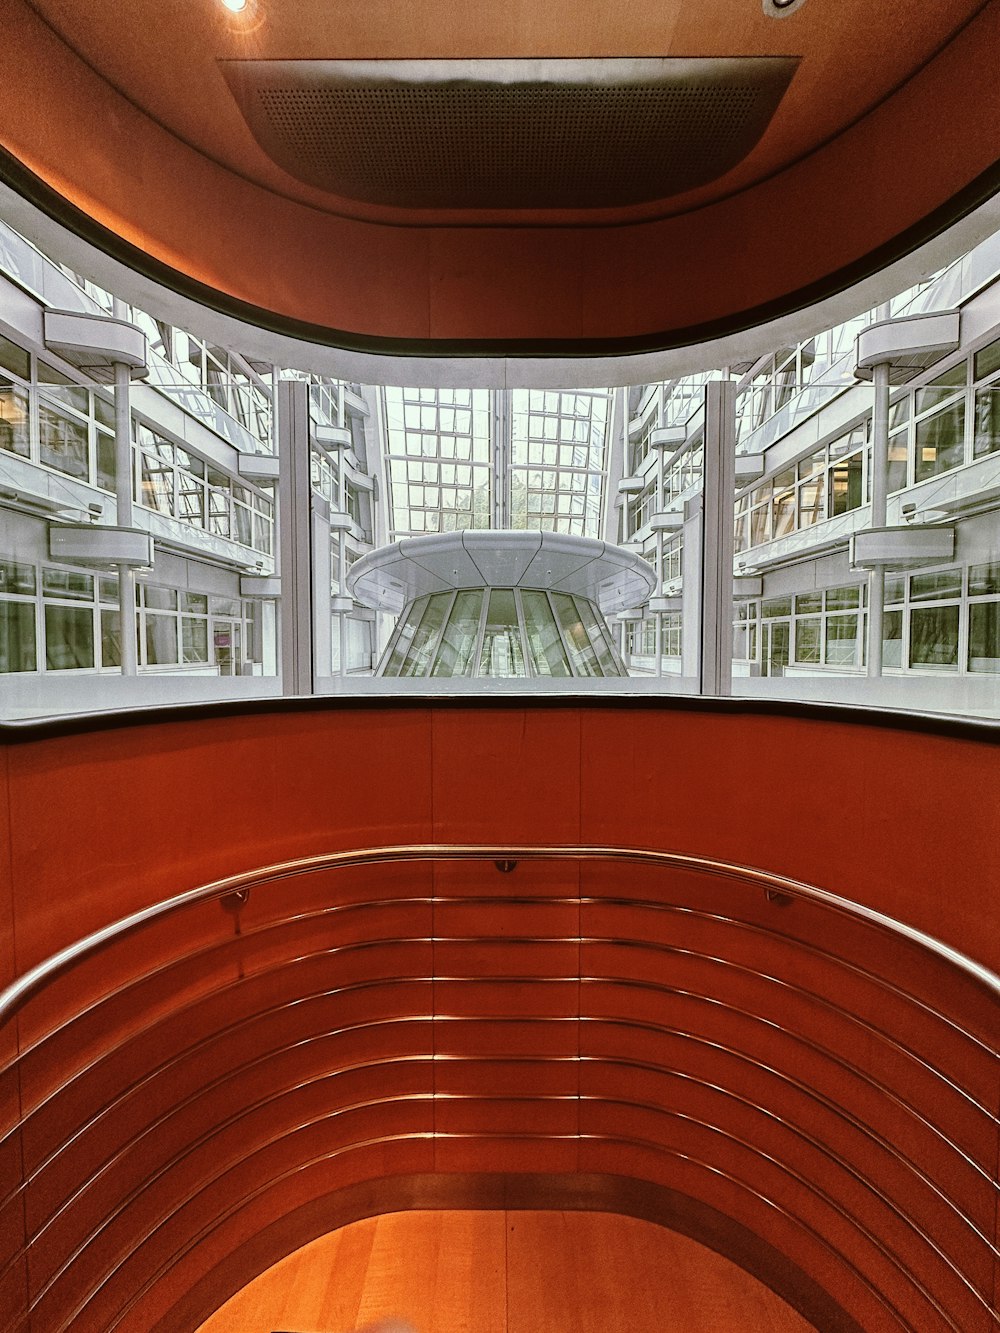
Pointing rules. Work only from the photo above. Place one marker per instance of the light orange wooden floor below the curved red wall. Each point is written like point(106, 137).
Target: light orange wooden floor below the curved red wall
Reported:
point(518, 1272)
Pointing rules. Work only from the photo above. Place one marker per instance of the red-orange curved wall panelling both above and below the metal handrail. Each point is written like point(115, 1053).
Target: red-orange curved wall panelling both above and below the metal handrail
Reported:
point(659, 1027)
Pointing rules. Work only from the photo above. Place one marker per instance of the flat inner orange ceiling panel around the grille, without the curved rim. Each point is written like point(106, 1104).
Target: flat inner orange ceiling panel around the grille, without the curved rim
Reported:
point(163, 57)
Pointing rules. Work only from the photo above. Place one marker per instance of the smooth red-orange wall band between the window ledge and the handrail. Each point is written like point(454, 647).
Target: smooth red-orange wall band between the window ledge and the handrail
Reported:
point(111, 820)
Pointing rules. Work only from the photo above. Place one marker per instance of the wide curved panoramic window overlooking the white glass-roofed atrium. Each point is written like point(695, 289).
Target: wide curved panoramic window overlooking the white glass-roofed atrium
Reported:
point(519, 537)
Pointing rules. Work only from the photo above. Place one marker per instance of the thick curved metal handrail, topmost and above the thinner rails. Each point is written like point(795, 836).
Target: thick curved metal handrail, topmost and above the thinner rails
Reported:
point(21, 991)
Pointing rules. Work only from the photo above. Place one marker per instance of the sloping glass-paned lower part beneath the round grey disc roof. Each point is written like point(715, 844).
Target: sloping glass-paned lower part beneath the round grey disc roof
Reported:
point(501, 634)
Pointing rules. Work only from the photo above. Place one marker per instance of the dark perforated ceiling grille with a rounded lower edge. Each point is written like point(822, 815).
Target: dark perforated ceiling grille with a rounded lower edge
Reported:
point(505, 143)
